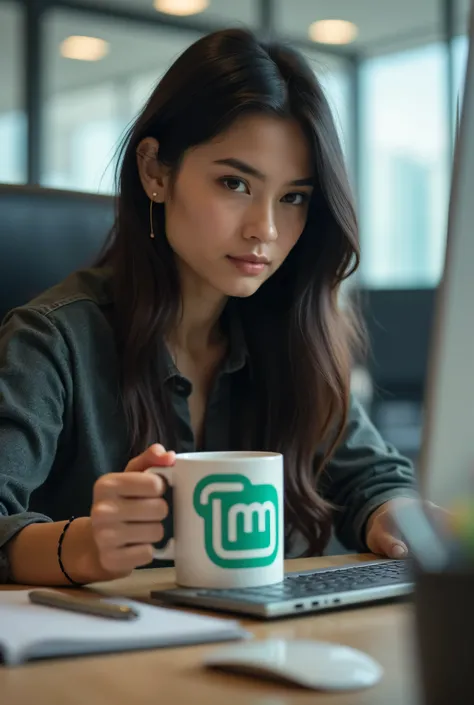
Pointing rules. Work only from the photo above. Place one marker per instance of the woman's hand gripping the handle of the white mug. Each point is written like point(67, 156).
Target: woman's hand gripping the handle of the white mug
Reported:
point(127, 512)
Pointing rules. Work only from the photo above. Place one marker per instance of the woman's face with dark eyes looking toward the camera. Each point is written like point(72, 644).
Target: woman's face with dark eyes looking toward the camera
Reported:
point(240, 204)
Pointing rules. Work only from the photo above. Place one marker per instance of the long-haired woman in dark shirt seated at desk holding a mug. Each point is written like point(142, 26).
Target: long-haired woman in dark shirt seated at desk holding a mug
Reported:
point(210, 322)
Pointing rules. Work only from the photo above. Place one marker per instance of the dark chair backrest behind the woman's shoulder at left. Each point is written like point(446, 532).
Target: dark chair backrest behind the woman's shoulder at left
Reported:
point(45, 234)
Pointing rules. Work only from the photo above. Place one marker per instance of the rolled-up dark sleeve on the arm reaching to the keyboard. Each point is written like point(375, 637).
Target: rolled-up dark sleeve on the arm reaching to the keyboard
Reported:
point(363, 473)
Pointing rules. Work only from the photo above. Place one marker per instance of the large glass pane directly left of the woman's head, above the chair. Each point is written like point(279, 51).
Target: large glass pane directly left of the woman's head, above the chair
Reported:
point(89, 104)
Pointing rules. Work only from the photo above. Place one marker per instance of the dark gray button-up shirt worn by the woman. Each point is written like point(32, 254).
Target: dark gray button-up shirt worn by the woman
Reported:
point(62, 424)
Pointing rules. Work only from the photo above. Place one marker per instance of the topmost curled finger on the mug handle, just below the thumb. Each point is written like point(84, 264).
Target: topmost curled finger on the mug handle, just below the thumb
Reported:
point(115, 485)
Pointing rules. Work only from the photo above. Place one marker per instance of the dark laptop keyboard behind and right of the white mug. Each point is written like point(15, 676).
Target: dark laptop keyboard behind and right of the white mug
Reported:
point(322, 583)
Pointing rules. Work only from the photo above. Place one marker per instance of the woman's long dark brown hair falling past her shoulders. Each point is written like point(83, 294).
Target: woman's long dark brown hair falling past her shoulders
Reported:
point(299, 338)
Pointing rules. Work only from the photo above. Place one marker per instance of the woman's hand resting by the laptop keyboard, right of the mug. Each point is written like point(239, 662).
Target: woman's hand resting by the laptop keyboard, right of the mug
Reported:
point(382, 536)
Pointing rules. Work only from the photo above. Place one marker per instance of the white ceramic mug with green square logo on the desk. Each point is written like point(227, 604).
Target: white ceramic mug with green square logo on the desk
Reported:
point(227, 519)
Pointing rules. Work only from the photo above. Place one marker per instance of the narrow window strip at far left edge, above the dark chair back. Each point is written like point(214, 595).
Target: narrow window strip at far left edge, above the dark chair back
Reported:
point(12, 116)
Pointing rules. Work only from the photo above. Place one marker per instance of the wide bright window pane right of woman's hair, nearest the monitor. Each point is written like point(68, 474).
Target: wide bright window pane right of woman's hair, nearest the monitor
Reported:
point(405, 159)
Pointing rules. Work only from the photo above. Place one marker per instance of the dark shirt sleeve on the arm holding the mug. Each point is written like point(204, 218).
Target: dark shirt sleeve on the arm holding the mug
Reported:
point(33, 374)
